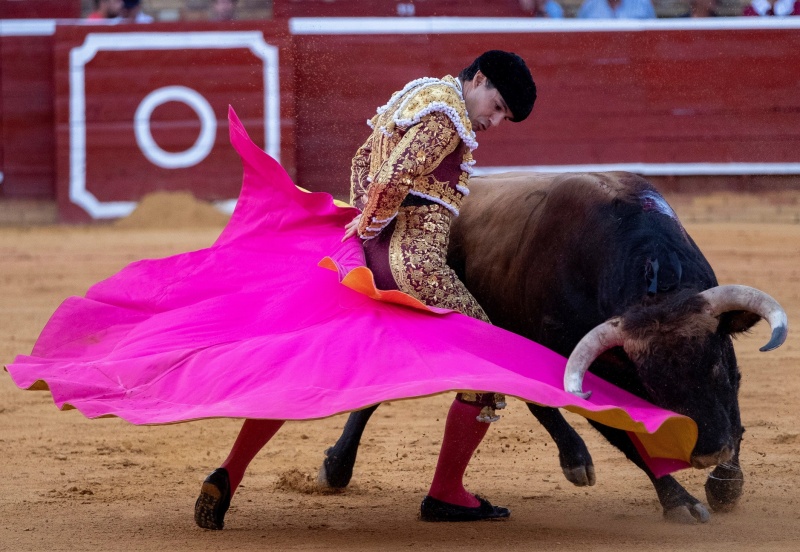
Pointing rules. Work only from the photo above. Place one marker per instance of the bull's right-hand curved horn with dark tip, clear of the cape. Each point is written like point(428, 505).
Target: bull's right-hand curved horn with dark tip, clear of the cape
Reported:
point(722, 299)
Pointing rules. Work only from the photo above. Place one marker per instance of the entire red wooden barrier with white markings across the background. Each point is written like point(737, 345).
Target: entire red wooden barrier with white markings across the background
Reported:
point(97, 116)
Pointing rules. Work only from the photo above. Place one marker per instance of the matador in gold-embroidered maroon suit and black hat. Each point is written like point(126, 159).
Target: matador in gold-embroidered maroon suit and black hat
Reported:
point(409, 179)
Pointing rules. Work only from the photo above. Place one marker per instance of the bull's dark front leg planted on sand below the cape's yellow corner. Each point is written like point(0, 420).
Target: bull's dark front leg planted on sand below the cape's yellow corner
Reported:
point(679, 506)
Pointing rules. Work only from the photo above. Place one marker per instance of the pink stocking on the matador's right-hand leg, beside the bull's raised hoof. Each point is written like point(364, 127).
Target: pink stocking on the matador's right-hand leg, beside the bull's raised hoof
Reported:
point(462, 435)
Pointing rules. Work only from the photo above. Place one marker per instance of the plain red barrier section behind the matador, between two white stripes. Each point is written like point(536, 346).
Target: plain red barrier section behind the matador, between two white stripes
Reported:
point(604, 97)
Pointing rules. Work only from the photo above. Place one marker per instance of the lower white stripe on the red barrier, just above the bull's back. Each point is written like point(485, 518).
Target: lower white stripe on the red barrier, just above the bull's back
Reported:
point(659, 169)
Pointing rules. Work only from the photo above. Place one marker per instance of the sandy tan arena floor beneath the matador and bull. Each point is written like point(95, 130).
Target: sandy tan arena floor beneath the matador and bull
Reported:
point(74, 484)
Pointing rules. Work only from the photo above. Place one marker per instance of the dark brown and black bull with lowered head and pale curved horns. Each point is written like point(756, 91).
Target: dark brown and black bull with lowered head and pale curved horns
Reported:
point(597, 267)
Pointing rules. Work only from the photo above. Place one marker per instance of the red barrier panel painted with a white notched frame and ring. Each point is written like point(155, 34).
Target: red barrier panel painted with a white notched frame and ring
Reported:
point(165, 76)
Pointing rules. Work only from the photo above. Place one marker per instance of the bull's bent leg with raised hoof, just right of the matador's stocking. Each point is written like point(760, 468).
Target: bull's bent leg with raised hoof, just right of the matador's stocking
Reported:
point(576, 462)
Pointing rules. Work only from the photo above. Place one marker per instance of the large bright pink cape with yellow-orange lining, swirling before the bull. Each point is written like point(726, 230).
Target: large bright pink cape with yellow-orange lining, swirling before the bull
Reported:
point(253, 327)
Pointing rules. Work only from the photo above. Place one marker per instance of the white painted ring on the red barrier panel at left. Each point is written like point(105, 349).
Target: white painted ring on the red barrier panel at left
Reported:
point(201, 147)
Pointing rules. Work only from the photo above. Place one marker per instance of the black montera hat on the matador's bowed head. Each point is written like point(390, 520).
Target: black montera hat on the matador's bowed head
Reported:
point(512, 78)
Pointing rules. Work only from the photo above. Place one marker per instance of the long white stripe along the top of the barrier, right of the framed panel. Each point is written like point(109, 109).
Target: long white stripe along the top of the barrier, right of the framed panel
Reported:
point(477, 25)
